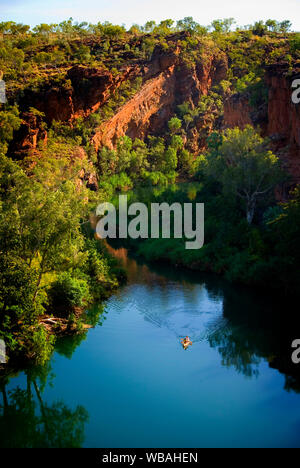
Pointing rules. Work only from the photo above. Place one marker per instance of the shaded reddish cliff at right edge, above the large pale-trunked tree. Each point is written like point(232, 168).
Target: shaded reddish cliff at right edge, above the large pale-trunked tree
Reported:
point(279, 120)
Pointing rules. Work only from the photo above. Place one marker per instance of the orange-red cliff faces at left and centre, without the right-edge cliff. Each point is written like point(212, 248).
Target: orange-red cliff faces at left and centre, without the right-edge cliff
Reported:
point(167, 82)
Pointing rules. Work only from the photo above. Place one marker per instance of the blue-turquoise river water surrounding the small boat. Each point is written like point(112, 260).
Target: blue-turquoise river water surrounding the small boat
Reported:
point(130, 383)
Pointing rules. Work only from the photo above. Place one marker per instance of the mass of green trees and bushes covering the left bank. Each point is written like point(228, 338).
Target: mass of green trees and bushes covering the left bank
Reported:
point(49, 262)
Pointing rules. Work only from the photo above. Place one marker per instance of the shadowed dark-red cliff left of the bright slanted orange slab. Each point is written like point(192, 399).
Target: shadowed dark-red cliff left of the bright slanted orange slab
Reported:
point(83, 92)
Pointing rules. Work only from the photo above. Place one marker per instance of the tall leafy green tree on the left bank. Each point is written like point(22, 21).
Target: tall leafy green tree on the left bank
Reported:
point(40, 234)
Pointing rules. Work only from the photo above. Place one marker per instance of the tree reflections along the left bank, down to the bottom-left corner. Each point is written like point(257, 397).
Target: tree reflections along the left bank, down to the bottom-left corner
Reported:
point(27, 421)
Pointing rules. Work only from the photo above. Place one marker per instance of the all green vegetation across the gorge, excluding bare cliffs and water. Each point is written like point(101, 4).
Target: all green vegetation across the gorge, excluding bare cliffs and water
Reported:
point(50, 263)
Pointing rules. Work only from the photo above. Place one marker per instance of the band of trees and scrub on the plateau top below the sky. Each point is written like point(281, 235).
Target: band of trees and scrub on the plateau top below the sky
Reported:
point(28, 58)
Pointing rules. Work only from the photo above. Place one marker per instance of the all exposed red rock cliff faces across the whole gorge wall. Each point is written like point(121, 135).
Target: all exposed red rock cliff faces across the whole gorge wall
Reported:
point(166, 82)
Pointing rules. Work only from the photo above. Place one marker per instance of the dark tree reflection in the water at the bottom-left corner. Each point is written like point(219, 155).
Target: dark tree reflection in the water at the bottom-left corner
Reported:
point(27, 421)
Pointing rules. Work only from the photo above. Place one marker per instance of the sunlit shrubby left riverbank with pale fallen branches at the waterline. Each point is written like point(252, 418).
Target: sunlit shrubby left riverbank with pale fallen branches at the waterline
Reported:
point(66, 311)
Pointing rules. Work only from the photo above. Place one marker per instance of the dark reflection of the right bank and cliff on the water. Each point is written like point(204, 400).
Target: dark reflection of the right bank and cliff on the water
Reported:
point(246, 327)
